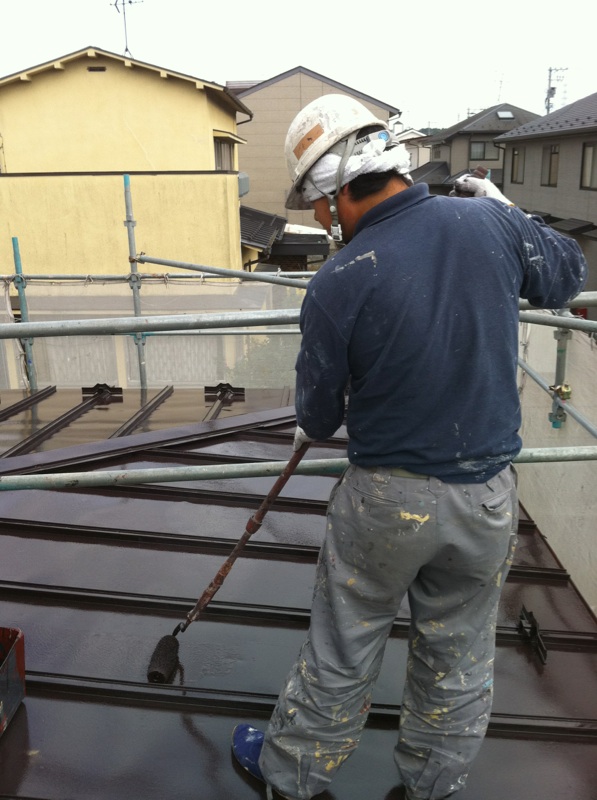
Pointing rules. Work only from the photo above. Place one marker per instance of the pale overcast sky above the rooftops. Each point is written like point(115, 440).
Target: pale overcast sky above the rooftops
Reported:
point(436, 61)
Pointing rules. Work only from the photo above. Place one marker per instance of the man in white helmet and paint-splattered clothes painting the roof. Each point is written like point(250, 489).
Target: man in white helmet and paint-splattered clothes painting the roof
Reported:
point(416, 318)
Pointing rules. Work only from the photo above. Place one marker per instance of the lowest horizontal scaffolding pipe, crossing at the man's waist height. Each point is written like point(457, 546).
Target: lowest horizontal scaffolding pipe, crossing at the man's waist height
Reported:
point(325, 466)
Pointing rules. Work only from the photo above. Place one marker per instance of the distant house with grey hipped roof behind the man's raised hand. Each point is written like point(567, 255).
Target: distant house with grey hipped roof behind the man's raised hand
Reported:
point(468, 144)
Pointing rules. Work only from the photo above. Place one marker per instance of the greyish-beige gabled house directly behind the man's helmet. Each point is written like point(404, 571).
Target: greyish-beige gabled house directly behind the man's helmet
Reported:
point(275, 103)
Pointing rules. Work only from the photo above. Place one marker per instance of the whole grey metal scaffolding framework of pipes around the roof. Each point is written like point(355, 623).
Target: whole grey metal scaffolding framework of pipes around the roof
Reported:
point(230, 323)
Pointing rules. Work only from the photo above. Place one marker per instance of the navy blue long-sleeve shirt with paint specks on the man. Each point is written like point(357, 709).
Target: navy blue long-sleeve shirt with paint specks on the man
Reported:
point(418, 316)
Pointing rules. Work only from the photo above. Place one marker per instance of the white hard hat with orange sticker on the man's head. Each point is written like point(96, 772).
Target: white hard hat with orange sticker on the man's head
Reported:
point(318, 127)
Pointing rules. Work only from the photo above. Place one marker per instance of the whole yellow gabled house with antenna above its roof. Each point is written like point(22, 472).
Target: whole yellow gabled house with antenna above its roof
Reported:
point(70, 128)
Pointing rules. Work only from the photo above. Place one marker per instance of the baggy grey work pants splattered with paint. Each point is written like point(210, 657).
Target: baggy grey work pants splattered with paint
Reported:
point(450, 547)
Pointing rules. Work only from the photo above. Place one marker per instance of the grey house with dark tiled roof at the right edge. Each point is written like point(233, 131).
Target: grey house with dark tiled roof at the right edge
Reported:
point(551, 169)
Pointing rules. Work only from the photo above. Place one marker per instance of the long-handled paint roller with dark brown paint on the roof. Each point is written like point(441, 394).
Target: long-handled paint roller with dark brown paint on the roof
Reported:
point(164, 660)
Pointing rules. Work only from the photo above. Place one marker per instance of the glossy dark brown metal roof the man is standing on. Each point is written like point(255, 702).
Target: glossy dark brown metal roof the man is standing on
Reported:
point(95, 578)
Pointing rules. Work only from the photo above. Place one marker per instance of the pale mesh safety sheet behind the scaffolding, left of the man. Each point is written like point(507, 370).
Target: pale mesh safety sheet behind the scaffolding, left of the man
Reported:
point(247, 357)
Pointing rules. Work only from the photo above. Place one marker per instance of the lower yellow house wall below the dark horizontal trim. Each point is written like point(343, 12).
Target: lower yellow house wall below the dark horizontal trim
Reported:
point(73, 224)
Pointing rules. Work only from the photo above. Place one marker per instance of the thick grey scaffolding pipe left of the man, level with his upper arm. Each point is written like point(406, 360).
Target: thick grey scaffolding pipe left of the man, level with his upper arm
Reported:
point(124, 325)
